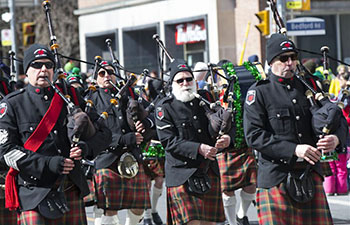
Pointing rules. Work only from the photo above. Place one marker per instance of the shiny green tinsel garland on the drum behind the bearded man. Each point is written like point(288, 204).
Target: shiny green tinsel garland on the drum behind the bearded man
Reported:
point(237, 103)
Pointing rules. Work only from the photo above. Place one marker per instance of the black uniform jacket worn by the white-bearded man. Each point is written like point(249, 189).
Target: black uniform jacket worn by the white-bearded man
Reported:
point(181, 128)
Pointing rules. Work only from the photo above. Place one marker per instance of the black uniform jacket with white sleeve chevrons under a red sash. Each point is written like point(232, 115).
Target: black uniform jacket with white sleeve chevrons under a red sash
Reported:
point(20, 114)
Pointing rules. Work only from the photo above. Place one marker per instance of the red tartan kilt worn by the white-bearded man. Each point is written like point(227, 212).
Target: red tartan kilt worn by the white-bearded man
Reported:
point(183, 207)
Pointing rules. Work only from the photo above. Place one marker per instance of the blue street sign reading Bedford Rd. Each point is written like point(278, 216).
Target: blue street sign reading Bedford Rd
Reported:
point(305, 26)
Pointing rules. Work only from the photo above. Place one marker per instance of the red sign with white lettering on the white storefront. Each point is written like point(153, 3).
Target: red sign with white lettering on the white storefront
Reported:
point(191, 32)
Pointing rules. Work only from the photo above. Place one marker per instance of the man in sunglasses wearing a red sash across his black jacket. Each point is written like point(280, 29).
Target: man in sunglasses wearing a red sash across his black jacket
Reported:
point(35, 141)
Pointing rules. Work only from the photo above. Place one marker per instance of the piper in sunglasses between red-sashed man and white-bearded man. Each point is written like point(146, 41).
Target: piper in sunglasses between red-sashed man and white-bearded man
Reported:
point(114, 190)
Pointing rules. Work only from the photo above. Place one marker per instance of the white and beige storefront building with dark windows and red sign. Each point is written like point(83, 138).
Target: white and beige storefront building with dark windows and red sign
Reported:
point(196, 30)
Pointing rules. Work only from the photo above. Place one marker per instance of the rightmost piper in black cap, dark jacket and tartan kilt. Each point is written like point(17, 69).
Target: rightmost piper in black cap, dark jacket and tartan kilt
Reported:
point(277, 123)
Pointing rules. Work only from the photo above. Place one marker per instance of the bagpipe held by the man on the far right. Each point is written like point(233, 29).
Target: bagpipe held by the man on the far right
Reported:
point(326, 115)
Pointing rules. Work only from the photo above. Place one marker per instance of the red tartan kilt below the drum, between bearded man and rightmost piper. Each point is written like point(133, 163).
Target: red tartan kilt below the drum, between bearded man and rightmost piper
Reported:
point(237, 169)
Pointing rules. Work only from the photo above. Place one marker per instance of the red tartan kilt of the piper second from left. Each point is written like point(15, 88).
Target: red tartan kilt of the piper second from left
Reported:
point(116, 193)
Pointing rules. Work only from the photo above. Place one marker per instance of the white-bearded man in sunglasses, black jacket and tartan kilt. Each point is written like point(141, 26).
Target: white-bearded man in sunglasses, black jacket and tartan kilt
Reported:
point(190, 152)
